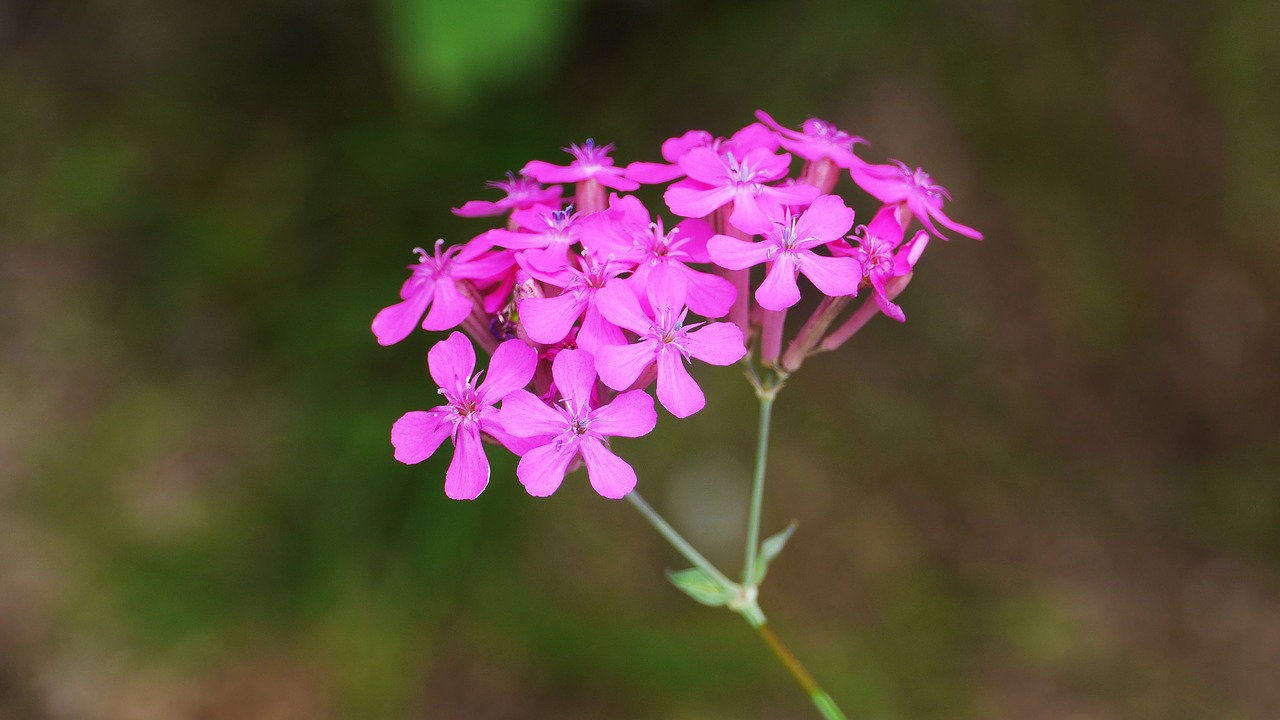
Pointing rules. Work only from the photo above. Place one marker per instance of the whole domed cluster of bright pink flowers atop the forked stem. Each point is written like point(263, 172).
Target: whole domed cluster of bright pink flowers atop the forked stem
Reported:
point(587, 304)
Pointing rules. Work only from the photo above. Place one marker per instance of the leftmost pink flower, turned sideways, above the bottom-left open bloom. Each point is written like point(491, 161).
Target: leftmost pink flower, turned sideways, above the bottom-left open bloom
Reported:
point(435, 285)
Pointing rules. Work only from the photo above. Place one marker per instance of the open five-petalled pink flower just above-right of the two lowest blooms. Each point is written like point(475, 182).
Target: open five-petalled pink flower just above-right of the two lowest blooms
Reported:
point(666, 340)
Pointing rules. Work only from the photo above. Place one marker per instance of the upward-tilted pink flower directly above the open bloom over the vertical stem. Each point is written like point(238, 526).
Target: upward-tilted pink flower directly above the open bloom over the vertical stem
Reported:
point(716, 181)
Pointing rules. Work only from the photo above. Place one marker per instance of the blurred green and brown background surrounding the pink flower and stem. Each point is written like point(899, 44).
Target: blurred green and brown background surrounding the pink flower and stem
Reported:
point(1053, 494)
